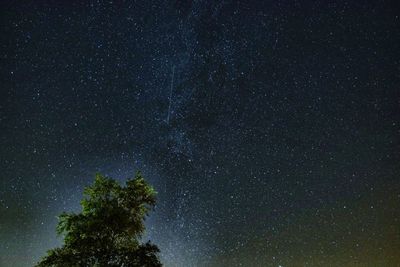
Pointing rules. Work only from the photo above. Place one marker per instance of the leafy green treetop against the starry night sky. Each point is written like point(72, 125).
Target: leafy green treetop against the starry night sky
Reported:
point(108, 230)
